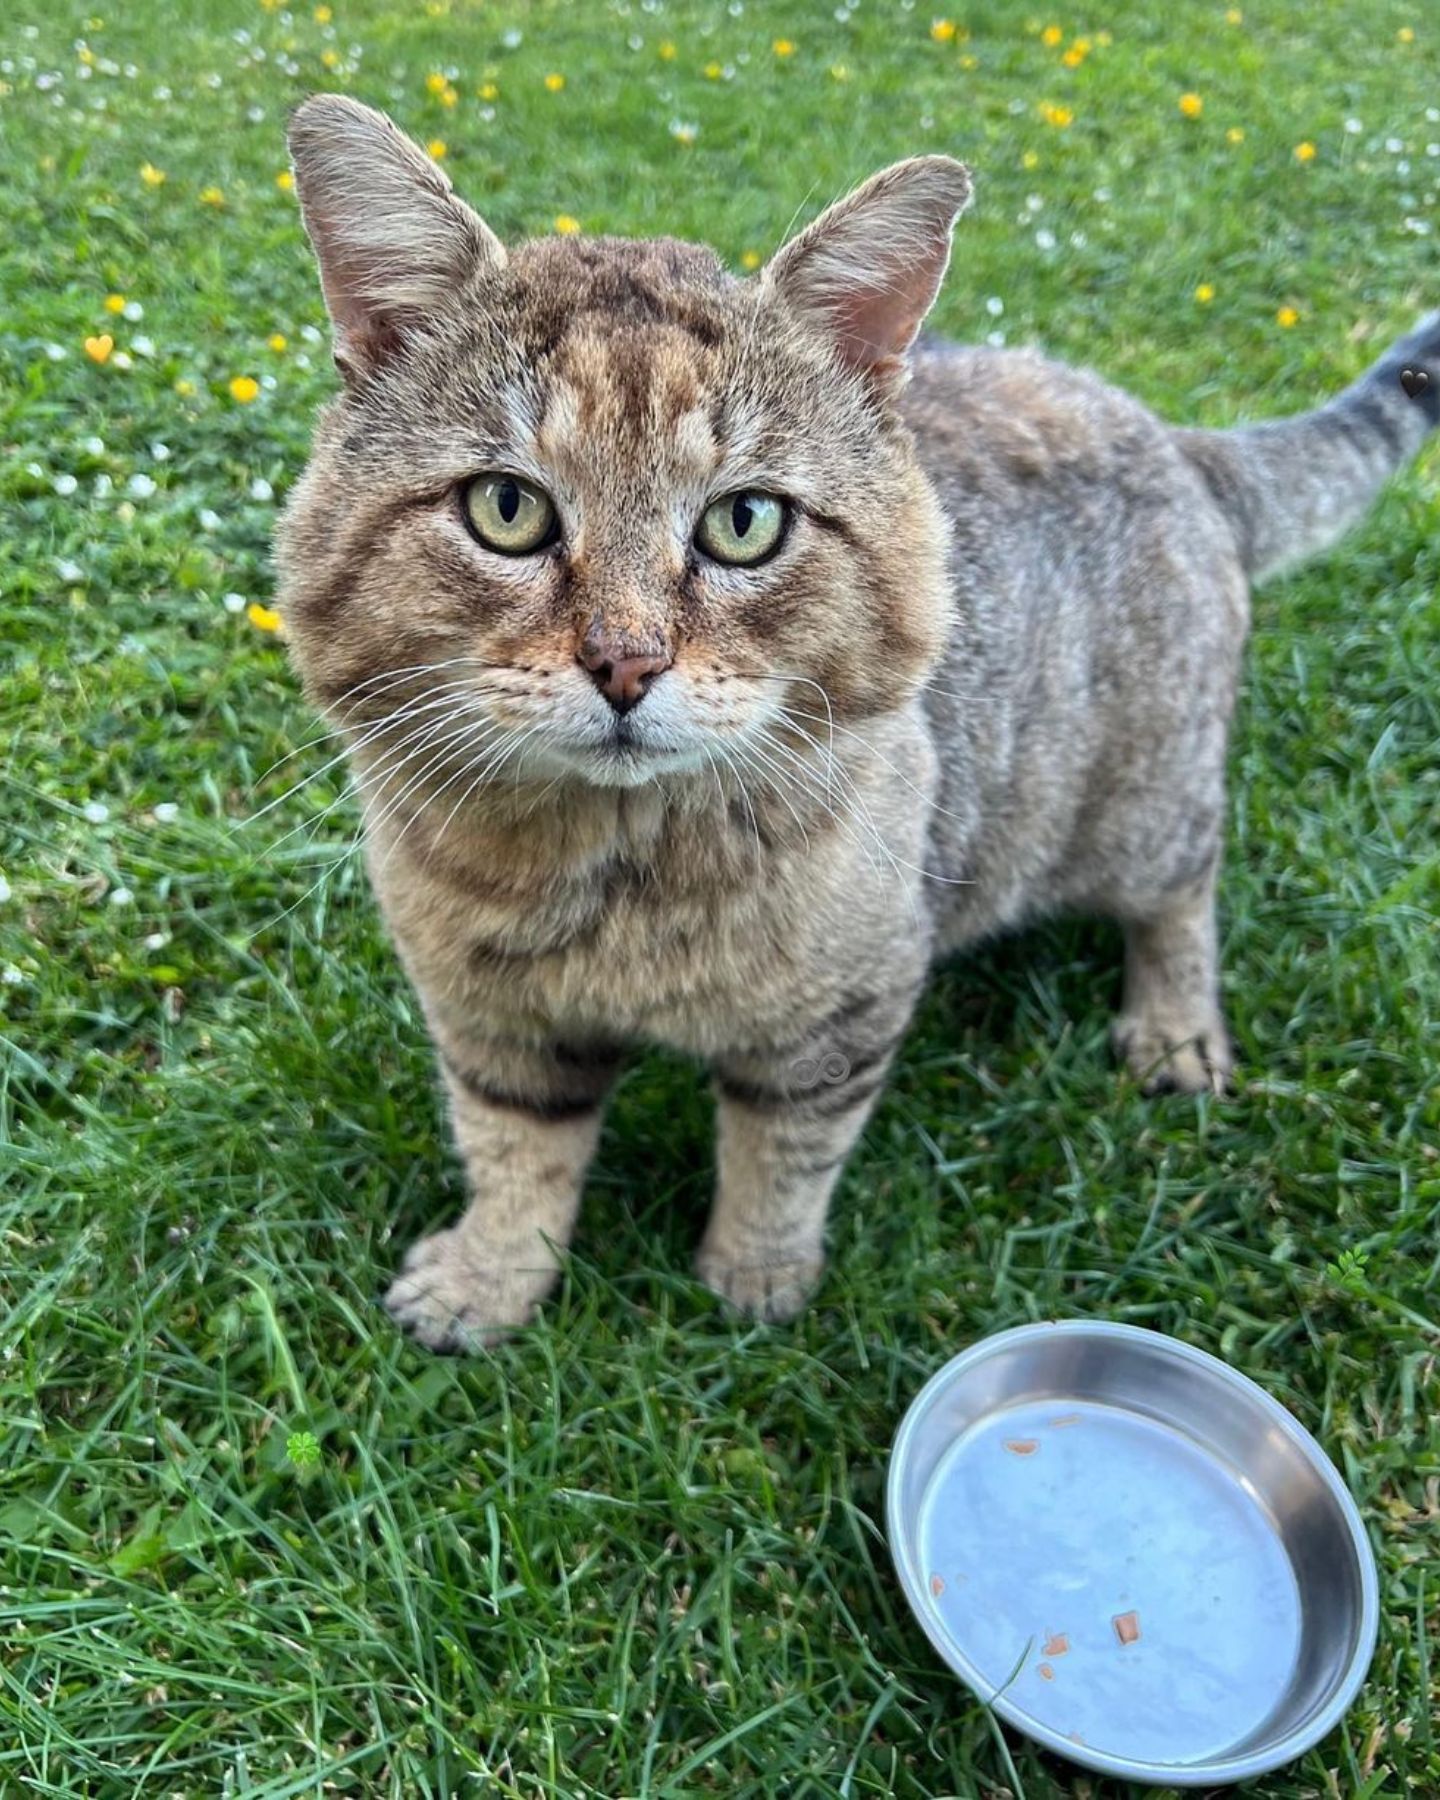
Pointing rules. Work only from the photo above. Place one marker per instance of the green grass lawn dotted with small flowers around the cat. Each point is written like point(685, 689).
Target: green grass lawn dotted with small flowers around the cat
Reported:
point(640, 1551)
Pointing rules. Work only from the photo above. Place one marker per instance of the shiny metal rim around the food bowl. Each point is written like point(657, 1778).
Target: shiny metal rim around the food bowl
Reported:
point(1282, 1750)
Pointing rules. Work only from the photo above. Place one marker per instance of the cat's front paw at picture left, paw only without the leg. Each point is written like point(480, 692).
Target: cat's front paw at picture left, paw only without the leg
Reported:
point(453, 1297)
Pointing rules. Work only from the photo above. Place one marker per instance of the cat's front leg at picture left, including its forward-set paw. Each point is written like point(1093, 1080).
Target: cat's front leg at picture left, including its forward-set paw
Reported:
point(526, 1126)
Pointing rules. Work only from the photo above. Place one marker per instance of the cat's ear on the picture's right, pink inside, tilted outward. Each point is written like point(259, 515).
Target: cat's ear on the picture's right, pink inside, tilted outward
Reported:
point(870, 267)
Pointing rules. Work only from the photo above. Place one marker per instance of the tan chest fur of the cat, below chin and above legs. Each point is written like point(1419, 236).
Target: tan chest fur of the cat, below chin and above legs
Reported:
point(701, 921)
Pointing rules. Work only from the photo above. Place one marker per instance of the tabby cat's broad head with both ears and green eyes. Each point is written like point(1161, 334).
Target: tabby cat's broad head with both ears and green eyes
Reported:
point(597, 508)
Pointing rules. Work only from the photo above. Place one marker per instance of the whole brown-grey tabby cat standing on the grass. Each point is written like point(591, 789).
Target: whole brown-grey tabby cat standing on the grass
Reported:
point(714, 656)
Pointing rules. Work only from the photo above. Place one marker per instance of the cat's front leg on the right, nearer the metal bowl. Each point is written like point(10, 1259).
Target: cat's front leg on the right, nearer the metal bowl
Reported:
point(786, 1126)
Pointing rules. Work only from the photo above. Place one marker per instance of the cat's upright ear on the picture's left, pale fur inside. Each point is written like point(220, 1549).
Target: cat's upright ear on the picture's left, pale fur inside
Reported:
point(391, 237)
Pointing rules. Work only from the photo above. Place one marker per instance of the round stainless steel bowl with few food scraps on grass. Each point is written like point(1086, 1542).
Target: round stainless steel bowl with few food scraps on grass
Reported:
point(1131, 1552)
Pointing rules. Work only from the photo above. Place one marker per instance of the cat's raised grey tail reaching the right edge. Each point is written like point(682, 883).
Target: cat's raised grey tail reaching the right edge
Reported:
point(1291, 487)
